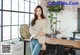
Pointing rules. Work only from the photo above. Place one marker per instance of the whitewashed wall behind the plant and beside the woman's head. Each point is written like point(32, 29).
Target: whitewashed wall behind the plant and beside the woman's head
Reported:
point(68, 18)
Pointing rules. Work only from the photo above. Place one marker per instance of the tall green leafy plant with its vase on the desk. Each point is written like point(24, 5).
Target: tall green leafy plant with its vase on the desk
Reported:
point(54, 7)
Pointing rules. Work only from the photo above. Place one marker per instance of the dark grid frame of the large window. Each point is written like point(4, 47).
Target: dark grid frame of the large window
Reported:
point(17, 11)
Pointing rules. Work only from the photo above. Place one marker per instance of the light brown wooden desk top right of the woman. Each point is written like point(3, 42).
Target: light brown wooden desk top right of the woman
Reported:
point(75, 44)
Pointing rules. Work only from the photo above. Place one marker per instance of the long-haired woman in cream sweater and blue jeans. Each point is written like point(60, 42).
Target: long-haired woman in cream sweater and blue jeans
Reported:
point(38, 31)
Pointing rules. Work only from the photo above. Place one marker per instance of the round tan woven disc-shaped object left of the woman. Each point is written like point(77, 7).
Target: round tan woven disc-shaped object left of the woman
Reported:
point(24, 31)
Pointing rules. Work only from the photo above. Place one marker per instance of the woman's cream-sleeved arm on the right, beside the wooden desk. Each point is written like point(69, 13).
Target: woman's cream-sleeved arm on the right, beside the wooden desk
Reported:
point(42, 33)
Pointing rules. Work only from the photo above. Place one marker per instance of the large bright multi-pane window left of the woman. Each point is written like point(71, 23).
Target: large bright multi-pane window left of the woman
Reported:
point(15, 13)
